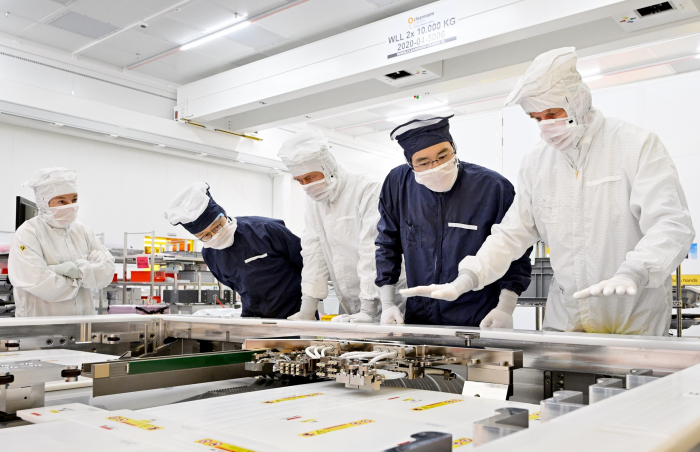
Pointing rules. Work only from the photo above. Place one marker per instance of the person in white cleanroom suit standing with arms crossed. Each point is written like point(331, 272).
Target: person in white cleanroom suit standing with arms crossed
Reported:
point(54, 260)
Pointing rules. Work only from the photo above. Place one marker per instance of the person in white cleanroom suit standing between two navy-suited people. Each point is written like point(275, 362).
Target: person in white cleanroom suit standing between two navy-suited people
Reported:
point(341, 225)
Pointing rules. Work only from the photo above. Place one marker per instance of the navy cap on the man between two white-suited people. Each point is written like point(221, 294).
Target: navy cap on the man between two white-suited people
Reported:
point(419, 134)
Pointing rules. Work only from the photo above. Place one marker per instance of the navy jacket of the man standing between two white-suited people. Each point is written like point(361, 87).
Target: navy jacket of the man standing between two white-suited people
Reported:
point(435, 231)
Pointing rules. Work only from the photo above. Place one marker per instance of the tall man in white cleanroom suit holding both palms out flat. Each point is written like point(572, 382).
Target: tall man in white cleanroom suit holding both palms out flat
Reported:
point(605, 197)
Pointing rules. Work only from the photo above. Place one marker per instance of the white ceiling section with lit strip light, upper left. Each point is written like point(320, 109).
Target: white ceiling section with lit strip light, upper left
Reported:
point(70, 25)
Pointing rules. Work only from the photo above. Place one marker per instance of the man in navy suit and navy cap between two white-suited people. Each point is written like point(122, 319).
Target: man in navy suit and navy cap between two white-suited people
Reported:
point(435, 215)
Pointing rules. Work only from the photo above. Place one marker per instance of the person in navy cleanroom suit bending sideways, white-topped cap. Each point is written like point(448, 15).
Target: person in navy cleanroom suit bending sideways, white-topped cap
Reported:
point(257, 257)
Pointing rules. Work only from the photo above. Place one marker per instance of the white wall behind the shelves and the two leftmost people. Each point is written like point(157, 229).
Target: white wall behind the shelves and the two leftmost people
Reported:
point(121, 188)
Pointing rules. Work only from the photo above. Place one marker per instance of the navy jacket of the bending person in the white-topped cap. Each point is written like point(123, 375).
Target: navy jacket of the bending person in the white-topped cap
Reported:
point(263, 265)
